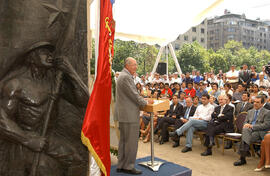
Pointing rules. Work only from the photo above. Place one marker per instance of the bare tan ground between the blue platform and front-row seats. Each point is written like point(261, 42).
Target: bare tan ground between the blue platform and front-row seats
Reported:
point(215, 165)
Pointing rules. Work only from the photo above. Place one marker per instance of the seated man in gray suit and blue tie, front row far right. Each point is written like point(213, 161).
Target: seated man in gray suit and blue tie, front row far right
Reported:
point(255, 127)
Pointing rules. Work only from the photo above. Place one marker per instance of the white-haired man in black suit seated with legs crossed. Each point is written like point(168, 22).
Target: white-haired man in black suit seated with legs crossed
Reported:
point(221, 122)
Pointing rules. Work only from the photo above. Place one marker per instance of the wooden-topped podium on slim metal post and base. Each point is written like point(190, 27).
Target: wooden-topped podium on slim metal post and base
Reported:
point(159, 105)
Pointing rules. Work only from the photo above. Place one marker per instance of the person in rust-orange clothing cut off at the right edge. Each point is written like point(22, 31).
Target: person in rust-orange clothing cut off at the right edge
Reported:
point(265, 154)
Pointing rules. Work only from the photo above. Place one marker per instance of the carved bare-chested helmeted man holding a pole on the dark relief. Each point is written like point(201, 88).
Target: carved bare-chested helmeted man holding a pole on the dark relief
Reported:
point(24, 97)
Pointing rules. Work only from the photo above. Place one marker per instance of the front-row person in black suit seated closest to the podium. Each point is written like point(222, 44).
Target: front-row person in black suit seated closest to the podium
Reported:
point(175, 111)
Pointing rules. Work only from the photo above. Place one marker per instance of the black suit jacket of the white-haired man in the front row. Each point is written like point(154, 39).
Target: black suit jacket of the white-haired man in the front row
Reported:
point(225, 120)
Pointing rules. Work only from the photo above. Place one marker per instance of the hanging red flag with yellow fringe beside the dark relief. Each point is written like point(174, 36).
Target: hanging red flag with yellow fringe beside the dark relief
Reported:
point(96, 126)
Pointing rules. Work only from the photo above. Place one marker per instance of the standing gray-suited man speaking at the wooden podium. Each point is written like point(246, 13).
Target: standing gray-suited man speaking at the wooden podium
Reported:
point(127, 111)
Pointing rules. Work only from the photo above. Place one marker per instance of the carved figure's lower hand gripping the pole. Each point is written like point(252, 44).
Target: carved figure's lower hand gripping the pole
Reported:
point(36, 144)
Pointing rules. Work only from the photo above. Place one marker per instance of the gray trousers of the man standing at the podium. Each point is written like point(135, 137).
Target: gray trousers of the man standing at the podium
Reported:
point(128, 145)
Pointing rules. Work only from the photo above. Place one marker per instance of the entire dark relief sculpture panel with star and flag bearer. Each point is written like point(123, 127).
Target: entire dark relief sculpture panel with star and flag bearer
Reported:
point(43, 95)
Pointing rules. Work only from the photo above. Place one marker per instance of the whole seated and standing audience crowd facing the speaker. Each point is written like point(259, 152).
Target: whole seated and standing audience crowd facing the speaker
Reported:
point(211, 103)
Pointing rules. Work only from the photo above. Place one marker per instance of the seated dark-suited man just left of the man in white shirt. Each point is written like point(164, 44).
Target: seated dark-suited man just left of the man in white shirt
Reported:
point(188, 111)
